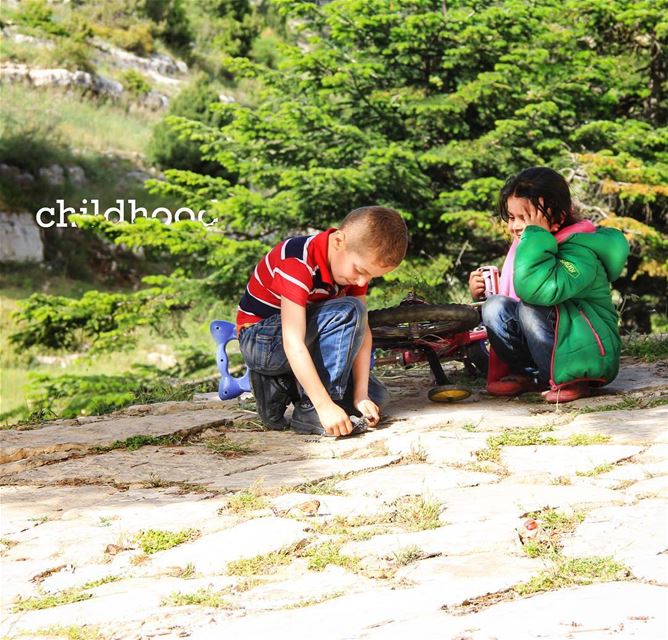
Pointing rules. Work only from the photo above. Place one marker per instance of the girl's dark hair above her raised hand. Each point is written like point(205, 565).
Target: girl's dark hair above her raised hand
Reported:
point(536, 184)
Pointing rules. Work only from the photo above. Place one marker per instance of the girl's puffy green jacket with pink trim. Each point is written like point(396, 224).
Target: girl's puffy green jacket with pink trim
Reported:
point(575, 275)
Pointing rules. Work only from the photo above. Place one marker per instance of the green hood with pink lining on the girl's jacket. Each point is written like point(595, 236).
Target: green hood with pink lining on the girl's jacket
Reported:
point(609, 245)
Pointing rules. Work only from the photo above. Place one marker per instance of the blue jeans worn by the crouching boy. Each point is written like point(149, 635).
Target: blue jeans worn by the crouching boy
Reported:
point(334, 334)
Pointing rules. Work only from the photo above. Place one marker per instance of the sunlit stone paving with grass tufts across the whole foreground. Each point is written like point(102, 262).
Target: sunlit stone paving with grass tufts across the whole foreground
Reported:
point(413, 529)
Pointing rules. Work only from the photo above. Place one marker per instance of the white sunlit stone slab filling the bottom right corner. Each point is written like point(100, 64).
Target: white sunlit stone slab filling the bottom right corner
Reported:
point(612, 610)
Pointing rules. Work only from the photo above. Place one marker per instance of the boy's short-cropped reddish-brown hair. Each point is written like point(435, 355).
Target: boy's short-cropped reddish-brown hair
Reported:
point(379, 231)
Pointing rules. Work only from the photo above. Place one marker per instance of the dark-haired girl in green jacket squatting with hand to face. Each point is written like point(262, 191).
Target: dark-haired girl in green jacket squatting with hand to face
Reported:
point(553, 325)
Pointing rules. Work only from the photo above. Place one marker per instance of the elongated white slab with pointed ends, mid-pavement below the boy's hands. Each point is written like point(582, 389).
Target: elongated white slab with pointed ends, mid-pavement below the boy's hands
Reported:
point(412, 479)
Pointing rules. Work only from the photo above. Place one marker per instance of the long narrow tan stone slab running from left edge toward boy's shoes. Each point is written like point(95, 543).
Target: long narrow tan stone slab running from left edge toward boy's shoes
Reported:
point(16, 445)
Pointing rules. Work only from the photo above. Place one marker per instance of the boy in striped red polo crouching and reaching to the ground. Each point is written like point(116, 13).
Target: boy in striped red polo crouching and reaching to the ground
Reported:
point(303, 316)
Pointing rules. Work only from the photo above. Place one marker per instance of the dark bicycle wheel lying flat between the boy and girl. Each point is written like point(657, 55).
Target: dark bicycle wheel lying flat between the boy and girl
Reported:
point(417, 320)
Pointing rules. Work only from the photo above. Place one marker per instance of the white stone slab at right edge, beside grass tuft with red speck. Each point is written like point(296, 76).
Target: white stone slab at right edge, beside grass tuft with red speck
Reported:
point(622, 532)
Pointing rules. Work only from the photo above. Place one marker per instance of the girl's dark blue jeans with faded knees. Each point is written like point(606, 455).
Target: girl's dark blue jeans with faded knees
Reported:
point(521, 334)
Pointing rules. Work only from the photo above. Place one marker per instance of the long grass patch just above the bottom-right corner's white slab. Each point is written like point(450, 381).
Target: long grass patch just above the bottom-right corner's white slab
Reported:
point(574, 572)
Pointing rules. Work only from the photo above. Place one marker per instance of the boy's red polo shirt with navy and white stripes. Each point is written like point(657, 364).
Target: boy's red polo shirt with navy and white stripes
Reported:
point(296, 268)
